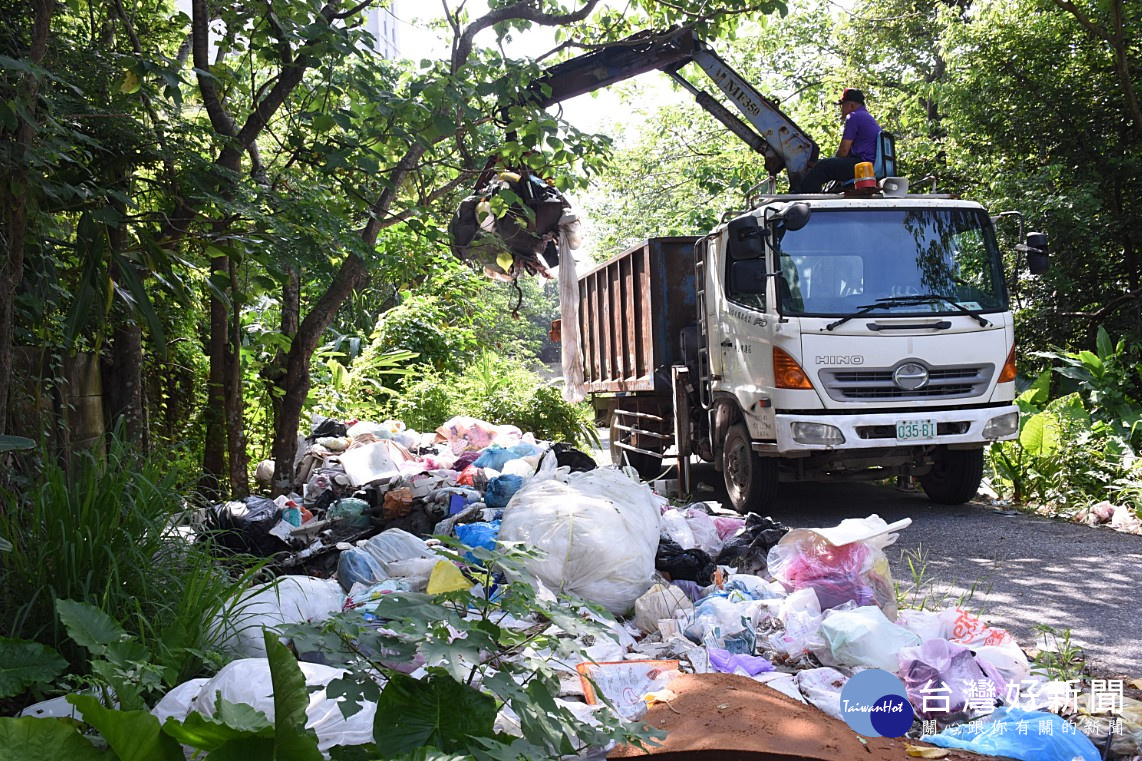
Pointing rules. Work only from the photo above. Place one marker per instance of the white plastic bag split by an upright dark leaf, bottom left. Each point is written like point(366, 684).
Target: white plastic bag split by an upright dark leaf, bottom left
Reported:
point(248, 682)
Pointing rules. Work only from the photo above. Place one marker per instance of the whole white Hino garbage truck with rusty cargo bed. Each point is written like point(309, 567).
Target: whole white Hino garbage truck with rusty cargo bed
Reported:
point(837, 337)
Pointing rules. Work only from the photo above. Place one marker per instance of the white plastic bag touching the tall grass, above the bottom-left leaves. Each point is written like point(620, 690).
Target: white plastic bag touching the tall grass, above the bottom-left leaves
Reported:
point(289, 600)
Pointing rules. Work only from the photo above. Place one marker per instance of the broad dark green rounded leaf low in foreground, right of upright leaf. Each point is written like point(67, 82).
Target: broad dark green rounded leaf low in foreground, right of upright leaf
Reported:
point(437, 712)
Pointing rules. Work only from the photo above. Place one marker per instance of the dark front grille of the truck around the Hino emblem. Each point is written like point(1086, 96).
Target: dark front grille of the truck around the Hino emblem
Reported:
point(878, 384)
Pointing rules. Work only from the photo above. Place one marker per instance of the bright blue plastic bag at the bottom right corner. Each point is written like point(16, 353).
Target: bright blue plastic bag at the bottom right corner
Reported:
point(1000, 736)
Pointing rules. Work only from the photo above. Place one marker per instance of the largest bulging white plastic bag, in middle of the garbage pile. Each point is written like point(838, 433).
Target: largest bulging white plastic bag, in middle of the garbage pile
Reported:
point(600, 533)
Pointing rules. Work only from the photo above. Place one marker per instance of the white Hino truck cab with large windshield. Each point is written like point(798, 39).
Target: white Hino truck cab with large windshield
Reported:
point(856, 338)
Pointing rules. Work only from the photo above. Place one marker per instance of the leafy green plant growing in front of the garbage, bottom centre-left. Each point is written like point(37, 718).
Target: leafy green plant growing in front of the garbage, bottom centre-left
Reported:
point(477, 660)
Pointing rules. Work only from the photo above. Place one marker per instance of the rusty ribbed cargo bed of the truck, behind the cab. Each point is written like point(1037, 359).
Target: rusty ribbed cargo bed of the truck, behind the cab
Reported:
point(632, 311)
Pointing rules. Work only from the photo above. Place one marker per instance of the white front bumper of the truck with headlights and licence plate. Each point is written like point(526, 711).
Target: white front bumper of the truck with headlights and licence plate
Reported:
point(963, 428)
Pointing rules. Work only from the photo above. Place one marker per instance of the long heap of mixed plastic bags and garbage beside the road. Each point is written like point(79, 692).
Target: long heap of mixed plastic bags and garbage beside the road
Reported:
point(695, 590)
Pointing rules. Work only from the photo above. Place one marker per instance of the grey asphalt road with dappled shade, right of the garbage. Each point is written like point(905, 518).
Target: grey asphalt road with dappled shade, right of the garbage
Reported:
point(1019, 570)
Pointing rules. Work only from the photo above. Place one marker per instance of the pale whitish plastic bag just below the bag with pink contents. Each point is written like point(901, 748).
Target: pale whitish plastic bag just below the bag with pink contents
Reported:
point(864, 637)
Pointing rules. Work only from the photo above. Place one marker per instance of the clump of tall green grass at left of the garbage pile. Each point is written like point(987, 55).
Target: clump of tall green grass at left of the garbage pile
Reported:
point(102, 534)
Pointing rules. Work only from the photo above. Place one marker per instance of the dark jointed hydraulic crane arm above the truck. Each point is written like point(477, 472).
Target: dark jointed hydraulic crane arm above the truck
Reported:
point(770, 132)
